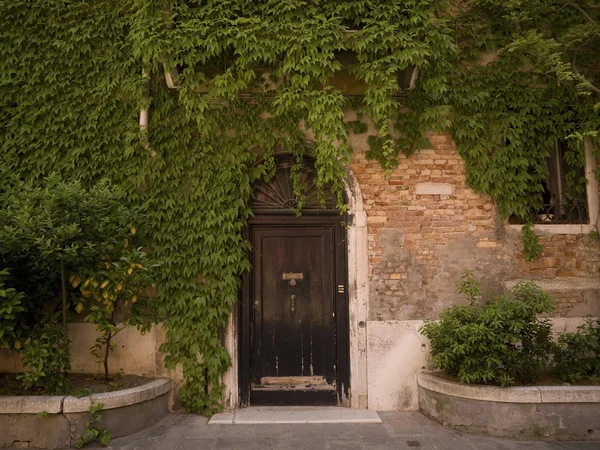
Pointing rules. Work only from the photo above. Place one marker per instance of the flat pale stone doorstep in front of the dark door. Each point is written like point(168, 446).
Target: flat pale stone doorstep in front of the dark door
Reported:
point(255, 415)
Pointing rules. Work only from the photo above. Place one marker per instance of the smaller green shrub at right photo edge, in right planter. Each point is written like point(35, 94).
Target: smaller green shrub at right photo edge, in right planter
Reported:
point(577, 355)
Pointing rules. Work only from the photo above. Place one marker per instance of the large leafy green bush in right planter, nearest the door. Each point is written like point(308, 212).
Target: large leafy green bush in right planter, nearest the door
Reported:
point(500, 342)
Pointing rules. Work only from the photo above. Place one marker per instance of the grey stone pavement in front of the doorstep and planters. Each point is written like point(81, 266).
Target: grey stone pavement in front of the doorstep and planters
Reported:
point(399, 430)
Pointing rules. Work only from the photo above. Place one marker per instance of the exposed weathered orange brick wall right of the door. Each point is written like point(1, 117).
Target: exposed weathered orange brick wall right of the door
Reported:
point(426, 226)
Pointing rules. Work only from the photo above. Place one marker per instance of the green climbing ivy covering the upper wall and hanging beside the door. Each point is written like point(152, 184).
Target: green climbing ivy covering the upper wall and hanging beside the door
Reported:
point(251, 77)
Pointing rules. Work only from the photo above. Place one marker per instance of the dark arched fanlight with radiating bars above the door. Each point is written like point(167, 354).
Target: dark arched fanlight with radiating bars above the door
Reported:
point(277, 194)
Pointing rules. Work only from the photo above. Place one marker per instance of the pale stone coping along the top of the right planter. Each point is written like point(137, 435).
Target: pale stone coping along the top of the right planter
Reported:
point(531, 394)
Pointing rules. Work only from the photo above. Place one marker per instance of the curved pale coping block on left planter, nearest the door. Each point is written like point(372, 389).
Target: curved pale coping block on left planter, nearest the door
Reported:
point(118, 399)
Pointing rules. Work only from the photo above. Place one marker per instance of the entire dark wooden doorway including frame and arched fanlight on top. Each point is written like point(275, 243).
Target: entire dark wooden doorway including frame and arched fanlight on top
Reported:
point(293, 317)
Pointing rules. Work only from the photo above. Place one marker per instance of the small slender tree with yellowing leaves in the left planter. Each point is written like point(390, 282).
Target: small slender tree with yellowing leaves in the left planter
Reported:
point(118, 292)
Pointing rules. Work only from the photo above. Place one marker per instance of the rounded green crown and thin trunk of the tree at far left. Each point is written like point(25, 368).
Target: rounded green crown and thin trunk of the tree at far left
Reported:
point(58, 227)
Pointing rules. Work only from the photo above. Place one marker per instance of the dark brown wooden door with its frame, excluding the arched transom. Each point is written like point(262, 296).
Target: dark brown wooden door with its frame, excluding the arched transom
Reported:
point(295, 288)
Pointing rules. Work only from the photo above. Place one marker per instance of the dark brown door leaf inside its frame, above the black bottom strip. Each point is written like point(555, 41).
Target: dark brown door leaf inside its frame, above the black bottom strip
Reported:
point(293, 306)
